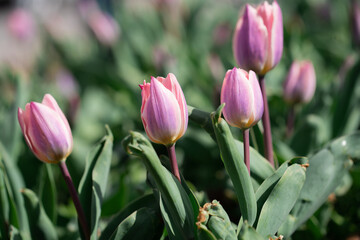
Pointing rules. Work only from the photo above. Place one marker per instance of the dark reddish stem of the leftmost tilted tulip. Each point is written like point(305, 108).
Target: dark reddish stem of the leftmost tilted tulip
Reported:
point(75, 198)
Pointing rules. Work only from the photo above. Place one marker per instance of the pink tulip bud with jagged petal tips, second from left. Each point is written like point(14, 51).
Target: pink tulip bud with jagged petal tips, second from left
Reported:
point(164, 110)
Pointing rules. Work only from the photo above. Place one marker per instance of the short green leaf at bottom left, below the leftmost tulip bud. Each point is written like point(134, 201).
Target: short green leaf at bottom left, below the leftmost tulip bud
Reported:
point(40, 224)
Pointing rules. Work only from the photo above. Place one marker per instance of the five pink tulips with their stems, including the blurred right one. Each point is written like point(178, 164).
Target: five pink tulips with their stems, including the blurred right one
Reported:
point(257, 46)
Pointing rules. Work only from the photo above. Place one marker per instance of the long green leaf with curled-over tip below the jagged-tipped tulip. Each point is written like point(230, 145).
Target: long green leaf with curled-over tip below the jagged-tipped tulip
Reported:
point(174, 203)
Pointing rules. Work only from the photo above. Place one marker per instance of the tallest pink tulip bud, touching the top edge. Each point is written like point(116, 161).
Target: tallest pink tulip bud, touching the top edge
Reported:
point(258, 38)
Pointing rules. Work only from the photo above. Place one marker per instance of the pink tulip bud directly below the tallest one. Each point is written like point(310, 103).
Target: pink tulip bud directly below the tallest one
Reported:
point(243, 100)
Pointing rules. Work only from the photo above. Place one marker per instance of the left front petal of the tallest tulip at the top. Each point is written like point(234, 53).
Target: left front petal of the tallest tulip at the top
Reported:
point(250, 41)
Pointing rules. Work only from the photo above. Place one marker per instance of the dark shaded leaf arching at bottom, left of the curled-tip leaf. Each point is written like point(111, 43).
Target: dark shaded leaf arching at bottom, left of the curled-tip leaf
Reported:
point(144, 201)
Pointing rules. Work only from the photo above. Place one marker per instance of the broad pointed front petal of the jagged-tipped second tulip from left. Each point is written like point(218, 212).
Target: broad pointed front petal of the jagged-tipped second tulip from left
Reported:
point(161, 115)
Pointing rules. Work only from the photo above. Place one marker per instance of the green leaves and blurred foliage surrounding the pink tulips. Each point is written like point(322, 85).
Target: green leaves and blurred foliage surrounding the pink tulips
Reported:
point(191, 39)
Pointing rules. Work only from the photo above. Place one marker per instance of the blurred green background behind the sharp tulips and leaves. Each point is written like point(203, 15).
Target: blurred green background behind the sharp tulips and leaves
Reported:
point(91, 56)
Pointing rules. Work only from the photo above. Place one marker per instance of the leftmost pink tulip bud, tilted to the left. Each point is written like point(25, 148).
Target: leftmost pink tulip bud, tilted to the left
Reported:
point(46, 130)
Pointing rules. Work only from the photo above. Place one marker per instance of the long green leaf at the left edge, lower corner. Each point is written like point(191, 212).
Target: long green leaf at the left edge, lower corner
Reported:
point(15, 184)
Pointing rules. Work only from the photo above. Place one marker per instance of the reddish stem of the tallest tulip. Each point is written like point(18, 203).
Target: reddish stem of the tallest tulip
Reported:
point(266, 123)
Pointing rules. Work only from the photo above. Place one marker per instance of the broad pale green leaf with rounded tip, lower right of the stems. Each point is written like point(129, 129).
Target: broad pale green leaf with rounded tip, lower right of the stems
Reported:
point(281, 200)
